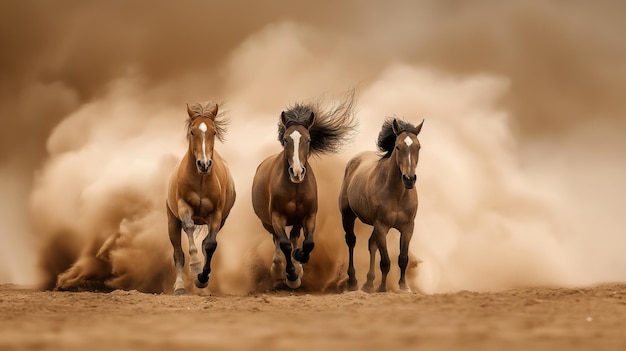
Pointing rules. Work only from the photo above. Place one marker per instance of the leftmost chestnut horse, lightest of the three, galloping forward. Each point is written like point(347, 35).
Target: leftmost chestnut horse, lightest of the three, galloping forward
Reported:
point(201, 192)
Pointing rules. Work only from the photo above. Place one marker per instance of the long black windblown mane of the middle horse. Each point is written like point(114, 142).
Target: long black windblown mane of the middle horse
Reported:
point(332, 128)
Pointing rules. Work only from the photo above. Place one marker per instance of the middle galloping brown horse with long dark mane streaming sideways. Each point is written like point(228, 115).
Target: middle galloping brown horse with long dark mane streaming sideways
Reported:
point(284, 188)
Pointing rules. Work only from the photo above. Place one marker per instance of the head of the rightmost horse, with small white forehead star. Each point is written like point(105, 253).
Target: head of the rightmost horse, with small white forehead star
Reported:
point(407, 148)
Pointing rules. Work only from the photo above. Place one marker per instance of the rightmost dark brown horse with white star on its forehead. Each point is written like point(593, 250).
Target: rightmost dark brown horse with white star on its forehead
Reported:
point(380, 192)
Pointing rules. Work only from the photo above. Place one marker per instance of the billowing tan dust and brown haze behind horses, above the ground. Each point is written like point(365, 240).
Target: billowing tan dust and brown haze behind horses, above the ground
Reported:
point(520, 176)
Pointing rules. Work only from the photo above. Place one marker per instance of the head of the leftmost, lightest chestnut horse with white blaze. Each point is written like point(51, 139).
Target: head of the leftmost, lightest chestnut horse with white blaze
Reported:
point(201, 132)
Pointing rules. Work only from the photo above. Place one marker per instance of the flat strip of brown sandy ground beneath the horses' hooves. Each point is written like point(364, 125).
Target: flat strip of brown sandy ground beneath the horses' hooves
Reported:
point(538, 319)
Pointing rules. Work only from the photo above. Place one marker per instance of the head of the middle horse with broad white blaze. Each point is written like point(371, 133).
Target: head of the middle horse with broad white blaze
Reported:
point(296, 142)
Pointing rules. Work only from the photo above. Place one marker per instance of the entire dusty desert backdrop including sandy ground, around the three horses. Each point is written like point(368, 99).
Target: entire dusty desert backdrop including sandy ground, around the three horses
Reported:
point(520, 229)
